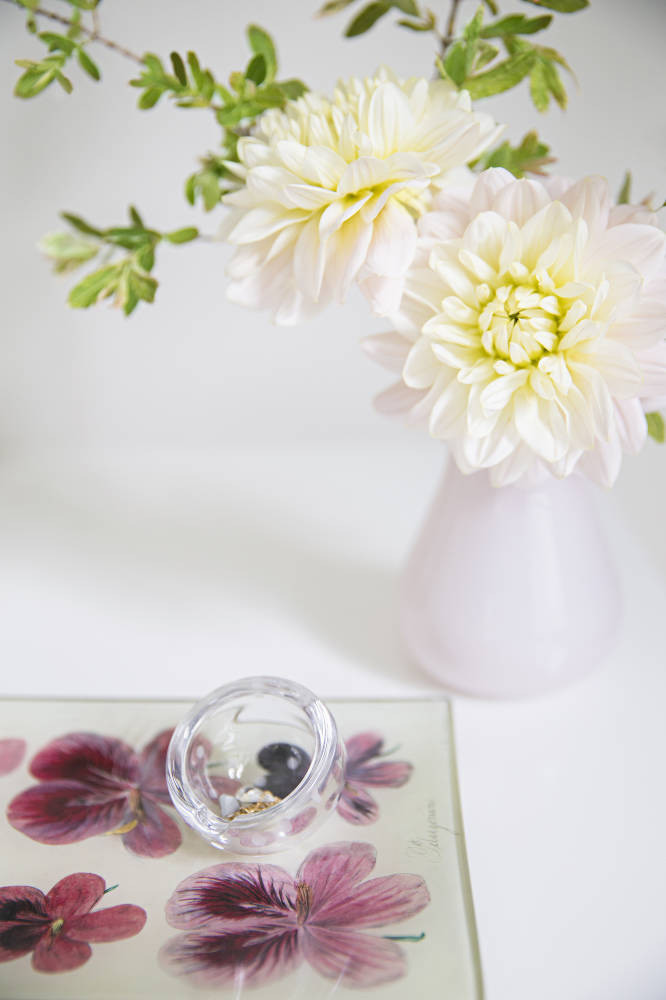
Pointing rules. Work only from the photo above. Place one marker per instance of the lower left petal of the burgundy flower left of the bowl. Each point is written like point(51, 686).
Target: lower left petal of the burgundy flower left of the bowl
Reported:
point(64, 812)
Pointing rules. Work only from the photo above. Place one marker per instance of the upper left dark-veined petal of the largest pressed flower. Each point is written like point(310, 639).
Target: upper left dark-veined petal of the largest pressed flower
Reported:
point(227, 896)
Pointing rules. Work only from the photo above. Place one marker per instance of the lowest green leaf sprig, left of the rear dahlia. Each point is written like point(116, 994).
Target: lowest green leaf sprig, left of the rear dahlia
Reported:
point(126, 279)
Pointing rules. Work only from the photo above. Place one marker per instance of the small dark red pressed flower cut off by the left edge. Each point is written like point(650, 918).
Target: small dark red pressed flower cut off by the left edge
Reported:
point(58, 927)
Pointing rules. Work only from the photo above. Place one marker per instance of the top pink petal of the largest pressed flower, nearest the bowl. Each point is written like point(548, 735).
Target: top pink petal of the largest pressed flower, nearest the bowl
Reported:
point(331, 871)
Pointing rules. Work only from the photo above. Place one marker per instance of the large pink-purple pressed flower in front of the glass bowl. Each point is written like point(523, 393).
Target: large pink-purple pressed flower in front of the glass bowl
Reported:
point(250, 924)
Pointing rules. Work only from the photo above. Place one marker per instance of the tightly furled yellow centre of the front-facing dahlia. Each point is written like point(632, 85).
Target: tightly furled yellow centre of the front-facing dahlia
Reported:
point(518, 323)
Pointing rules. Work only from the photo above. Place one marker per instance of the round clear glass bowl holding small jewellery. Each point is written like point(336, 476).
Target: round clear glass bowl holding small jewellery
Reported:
point(256, 765)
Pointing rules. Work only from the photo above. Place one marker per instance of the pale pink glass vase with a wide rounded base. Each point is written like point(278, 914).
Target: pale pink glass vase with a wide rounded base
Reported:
point(509, 591)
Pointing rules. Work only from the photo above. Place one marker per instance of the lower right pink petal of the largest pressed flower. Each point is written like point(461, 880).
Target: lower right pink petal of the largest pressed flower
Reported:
point(353, 959)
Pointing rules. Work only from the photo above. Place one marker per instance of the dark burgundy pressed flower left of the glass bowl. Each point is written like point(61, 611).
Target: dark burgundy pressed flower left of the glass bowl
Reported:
point(92, 784)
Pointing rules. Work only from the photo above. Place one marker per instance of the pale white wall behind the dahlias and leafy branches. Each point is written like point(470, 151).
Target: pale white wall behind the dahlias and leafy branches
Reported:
point(194, 369)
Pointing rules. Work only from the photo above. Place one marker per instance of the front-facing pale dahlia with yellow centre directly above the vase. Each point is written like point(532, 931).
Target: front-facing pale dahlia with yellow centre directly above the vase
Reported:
point(531, 331)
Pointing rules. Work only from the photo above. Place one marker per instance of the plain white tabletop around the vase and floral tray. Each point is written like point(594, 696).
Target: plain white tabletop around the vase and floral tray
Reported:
point(167, 575)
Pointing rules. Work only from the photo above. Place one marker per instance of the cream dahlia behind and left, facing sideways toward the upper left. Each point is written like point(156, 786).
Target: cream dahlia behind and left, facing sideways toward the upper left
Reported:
point(331, 188)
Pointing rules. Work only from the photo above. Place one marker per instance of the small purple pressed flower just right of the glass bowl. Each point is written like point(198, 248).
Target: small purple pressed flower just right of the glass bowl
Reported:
point(356, 805)
